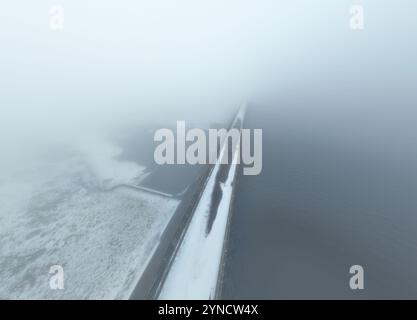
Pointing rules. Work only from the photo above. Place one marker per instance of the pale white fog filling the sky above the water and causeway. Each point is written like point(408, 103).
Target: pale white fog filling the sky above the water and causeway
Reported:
point(122, 63)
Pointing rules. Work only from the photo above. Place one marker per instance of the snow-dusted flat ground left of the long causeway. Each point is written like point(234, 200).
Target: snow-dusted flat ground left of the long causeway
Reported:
point(56, 211)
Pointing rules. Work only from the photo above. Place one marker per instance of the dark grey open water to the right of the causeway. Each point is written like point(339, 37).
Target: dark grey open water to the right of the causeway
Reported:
point(338, 188)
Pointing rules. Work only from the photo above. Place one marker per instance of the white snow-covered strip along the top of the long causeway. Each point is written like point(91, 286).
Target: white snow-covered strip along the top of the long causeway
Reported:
point(195, 270)
